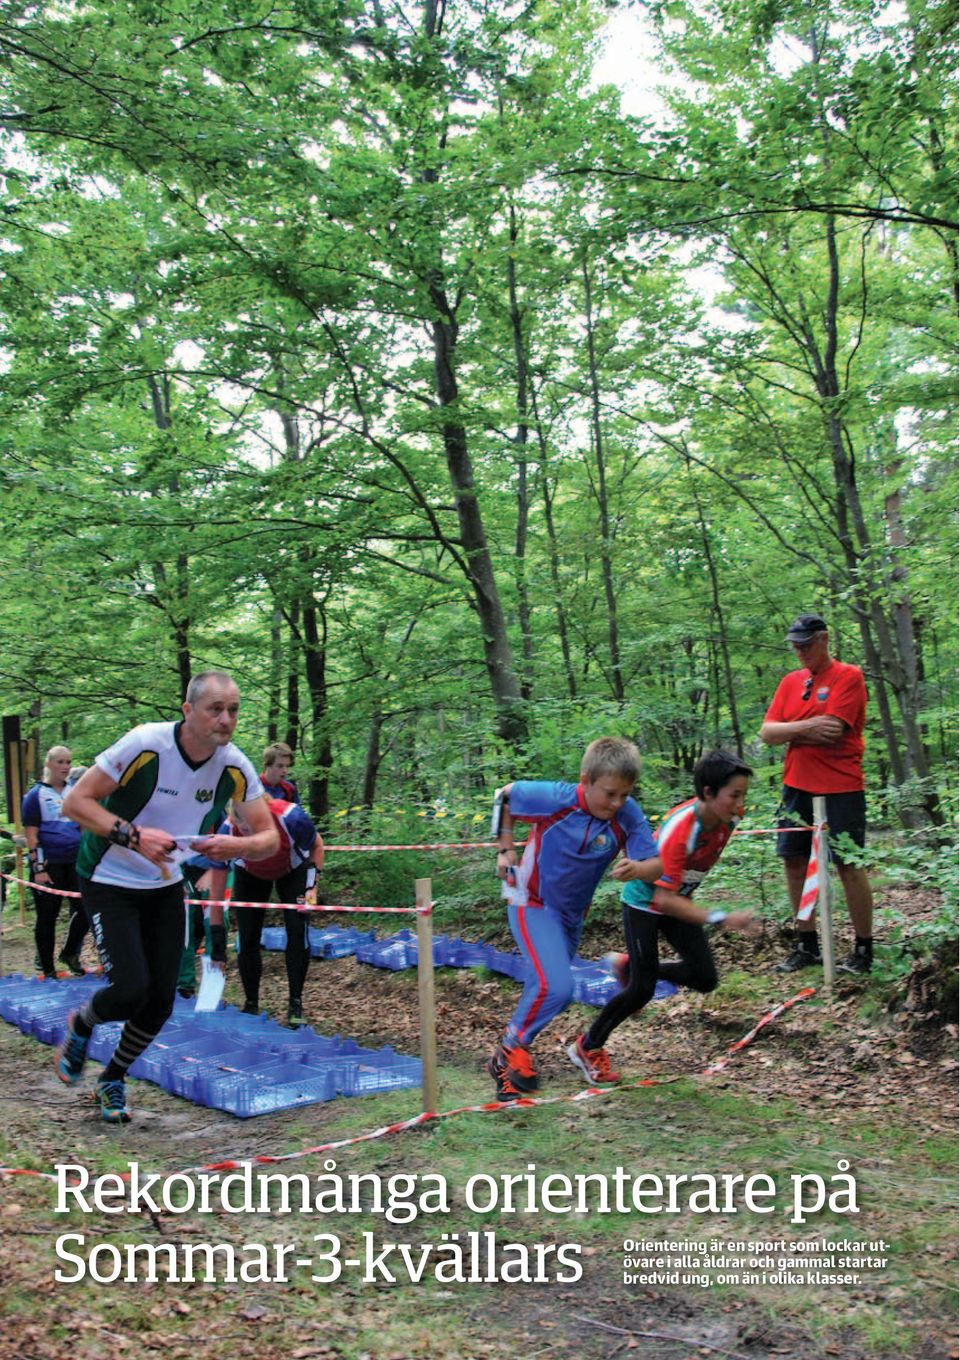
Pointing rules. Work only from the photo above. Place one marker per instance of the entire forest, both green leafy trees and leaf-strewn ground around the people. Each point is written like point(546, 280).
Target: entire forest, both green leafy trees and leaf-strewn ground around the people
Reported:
point(474, 379)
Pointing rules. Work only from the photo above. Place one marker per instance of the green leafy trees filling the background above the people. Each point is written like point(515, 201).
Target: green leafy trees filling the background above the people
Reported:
point(375, 353)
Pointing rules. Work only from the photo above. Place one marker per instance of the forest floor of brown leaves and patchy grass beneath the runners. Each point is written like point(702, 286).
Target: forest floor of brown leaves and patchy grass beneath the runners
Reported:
point(856, 1078)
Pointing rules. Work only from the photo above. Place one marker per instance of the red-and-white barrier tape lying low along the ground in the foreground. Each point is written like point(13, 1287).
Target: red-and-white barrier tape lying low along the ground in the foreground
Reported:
point(430, 1116)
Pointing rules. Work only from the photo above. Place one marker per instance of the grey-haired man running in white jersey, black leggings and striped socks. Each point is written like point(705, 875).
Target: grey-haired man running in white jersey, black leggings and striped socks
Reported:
point(150, 802)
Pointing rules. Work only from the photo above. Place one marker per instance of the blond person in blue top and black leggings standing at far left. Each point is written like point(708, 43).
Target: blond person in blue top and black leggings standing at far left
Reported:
point(54, 841)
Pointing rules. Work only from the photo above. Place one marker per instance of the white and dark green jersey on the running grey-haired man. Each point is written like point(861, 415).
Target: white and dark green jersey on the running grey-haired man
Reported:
point(158, 785)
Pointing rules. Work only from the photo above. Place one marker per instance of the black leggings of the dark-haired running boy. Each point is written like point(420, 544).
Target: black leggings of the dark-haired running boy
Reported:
point(642, 930)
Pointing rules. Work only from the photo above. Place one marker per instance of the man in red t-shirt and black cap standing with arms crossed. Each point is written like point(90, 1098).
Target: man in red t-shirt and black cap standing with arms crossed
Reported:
point(819, 713)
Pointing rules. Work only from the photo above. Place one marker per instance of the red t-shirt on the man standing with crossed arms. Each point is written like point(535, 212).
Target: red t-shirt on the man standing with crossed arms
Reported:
point(838, 692)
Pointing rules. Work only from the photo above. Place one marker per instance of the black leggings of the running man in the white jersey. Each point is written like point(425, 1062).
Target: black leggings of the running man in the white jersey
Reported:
point(139, 934)
